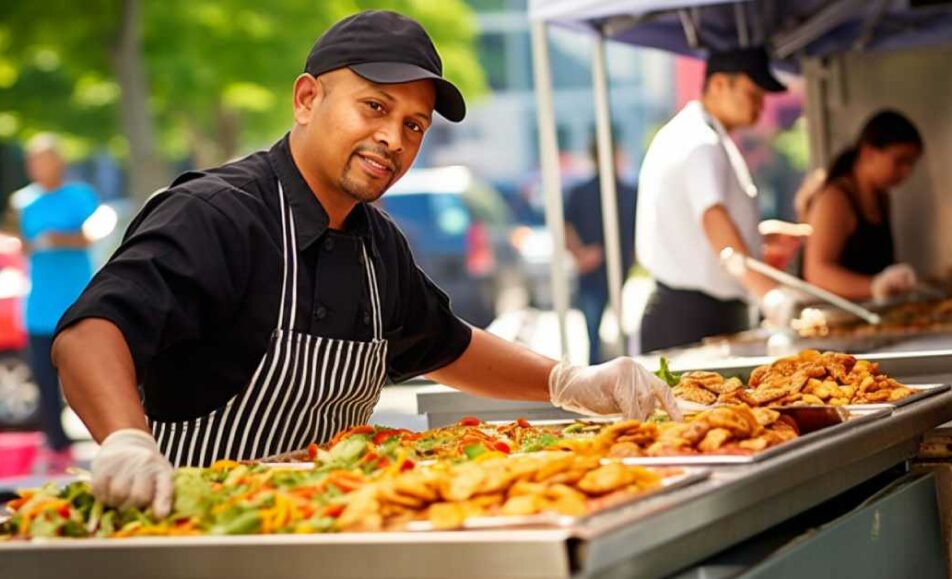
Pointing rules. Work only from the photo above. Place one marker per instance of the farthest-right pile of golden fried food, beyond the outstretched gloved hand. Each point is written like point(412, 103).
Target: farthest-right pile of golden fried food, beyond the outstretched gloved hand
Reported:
point(810, 377)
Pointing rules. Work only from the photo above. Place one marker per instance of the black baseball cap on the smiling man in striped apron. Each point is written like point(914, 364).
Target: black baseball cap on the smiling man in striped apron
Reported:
point(387, 48)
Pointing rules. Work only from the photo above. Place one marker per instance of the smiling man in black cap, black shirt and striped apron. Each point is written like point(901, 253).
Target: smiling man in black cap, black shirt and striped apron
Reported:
point(259, 306)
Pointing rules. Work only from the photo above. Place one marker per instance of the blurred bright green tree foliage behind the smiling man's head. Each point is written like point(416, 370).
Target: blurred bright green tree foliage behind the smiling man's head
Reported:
point(217, 73)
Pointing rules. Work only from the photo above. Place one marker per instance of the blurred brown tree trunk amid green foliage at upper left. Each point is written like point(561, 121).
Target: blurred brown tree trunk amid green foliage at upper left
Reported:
point(147, 172)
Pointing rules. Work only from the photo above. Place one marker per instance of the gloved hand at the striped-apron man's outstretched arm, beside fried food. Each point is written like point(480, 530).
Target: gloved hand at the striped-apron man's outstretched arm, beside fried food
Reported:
point(621, 385)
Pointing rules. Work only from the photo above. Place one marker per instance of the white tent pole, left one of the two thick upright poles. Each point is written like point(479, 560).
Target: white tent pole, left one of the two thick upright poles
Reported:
point(551, 179)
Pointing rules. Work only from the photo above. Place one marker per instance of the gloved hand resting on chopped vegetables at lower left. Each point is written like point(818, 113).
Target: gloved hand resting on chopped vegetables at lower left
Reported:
point(129, 471)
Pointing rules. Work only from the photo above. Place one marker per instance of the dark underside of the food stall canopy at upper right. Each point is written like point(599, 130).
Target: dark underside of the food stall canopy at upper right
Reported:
point(791, 29)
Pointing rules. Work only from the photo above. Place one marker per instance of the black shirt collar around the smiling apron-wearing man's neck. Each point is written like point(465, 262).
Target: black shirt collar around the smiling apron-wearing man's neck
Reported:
point(310, 217)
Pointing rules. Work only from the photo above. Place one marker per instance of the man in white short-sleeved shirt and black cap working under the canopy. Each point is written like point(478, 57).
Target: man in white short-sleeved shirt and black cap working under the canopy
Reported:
point(696, 197)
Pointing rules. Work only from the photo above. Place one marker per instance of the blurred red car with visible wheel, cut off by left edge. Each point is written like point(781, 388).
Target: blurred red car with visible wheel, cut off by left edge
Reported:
point(19, 394)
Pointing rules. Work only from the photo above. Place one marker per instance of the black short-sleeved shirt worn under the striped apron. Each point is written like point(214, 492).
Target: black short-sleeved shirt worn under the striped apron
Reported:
point(195, 286)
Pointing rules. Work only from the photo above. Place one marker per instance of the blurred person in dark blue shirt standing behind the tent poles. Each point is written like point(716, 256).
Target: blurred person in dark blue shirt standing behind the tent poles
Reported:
point(585, 239)
